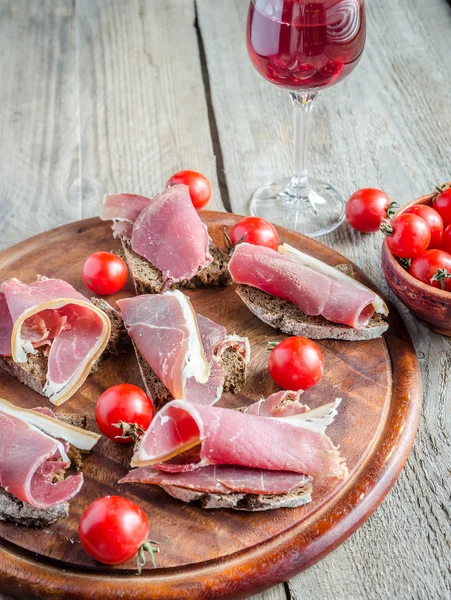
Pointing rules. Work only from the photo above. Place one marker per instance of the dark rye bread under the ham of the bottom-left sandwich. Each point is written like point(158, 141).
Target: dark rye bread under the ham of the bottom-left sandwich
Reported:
point(22, 513)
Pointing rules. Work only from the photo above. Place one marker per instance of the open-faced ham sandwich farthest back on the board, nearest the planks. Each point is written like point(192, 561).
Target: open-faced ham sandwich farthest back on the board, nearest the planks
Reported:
point(165, 243)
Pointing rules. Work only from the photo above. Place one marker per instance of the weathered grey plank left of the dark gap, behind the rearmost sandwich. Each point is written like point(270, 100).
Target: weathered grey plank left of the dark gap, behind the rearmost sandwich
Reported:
point(143, 112)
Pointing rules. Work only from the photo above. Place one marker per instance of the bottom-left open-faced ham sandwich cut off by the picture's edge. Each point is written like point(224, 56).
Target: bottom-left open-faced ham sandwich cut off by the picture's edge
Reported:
point(37, 449)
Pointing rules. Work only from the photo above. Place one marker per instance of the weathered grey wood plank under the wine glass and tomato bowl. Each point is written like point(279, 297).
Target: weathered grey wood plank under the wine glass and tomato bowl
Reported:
point(386, 126)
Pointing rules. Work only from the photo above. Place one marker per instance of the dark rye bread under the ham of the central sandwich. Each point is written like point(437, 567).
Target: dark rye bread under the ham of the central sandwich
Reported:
point(230, 360)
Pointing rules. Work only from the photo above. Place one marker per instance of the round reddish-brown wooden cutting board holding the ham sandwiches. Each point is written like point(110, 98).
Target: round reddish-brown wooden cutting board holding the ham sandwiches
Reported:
point(218, 553)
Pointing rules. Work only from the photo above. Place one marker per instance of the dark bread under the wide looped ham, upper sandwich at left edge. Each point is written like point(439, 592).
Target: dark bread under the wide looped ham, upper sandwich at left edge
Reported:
point(33, 373)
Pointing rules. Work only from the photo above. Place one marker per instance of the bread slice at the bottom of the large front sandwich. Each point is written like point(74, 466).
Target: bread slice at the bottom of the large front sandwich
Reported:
point(239, 501)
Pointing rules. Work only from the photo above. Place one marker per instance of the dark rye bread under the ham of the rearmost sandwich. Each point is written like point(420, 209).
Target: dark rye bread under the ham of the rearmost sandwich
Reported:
point(149, 280)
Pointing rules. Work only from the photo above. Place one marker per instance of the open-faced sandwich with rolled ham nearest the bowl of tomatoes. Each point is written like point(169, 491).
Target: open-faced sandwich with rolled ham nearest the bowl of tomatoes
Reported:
point(301, 295)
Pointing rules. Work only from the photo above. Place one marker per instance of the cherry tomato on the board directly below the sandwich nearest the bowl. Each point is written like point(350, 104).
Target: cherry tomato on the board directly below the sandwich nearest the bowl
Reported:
point(295, 364)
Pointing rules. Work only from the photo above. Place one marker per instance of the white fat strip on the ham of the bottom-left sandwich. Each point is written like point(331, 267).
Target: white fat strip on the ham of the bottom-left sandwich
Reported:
point(49, 424)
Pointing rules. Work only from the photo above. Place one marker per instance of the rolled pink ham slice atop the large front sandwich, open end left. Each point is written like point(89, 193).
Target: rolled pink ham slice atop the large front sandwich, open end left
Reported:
point(228, 437)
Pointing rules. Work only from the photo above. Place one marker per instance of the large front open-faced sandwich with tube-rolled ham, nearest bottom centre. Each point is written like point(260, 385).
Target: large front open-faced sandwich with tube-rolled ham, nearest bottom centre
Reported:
point(261, 458)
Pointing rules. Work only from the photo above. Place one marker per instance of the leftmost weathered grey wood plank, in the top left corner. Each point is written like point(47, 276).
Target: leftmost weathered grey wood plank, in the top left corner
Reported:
point(38, 118)
